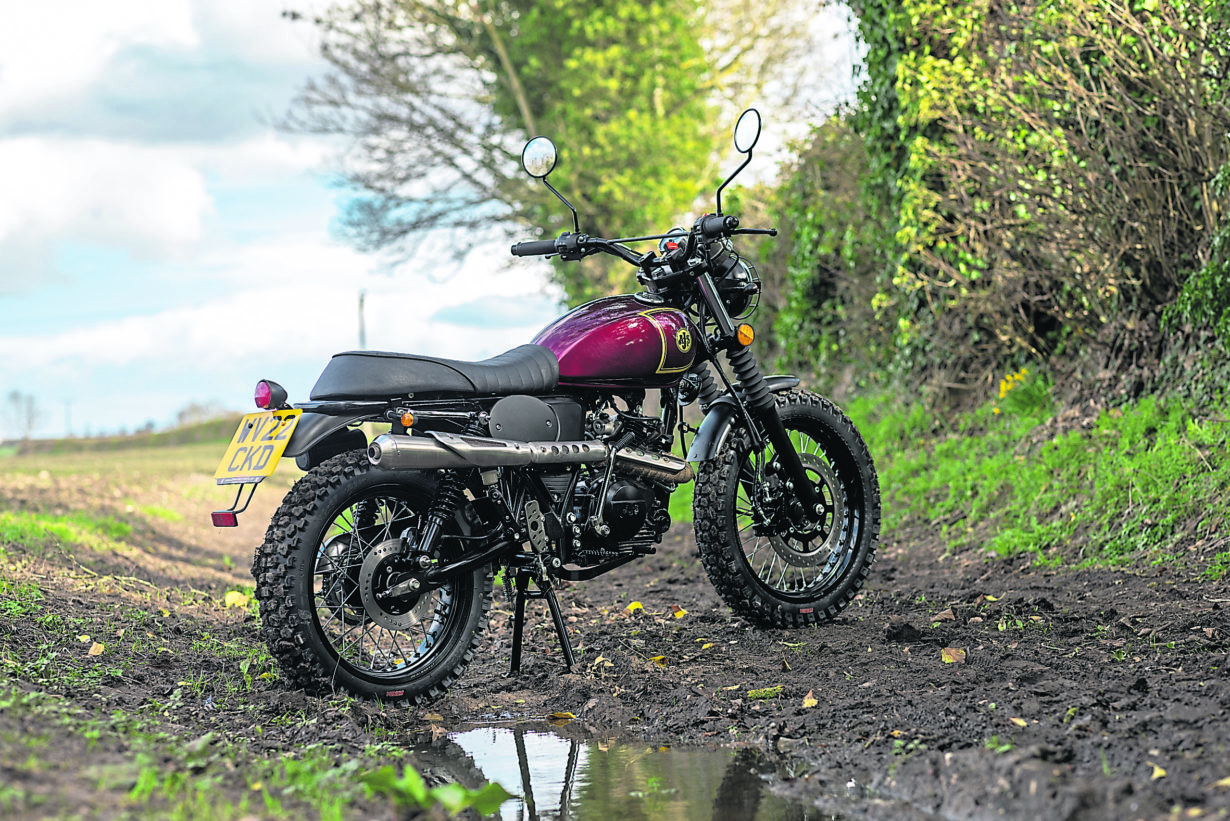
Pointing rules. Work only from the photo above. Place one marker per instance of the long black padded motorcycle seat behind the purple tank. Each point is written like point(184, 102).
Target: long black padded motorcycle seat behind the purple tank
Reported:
point(376, 375)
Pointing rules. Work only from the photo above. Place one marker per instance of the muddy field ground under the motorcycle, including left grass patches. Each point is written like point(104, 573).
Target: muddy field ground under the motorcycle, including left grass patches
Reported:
point(133, 681)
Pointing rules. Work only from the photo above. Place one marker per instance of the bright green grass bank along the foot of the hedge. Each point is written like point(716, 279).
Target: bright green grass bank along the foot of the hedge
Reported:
point(1143, 484)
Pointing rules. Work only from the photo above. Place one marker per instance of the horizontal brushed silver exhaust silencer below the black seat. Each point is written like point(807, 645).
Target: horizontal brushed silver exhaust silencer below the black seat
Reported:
point(436, 451)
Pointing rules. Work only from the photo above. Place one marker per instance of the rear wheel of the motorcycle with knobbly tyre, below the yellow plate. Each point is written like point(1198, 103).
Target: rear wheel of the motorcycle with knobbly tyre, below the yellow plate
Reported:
point(329, 559)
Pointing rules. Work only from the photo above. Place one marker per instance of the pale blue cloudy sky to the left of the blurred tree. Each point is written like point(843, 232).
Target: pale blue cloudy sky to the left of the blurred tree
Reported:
point(163, 243)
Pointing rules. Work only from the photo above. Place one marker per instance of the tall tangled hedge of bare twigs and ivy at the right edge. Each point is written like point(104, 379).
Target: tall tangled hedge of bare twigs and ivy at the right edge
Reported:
point(1049, 168)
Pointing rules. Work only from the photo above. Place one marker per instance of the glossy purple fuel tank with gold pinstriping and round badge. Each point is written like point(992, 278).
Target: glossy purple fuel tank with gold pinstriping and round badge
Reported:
point(622, 343)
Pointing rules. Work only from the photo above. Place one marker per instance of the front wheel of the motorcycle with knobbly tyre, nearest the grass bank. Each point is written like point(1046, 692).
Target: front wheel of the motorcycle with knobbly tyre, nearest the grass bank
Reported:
point(769, 563)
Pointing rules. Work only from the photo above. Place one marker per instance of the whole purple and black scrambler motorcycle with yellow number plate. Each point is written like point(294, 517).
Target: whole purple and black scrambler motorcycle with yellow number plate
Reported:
point(376, 575)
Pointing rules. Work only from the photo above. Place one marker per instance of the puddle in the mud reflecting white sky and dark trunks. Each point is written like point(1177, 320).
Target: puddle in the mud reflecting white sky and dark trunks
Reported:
point(577, 781)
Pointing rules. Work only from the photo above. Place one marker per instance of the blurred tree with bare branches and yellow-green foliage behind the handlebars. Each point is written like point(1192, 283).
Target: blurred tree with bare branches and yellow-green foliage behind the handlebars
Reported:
point(438, 98)
